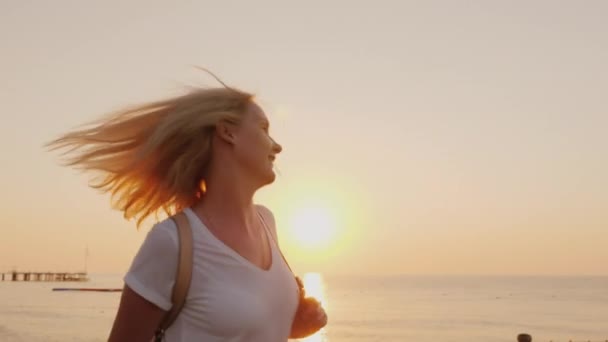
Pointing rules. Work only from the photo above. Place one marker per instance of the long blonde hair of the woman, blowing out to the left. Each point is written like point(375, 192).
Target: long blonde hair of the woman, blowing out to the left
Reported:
point(154, 156)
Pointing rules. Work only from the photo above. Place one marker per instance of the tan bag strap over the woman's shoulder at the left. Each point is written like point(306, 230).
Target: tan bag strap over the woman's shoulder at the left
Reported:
point(183, 275)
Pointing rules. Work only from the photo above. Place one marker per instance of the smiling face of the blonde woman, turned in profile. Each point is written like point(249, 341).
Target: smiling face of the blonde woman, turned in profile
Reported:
point(255, 149)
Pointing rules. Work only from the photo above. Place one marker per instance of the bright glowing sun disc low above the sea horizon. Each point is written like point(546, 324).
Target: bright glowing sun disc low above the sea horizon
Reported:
point(313, 226)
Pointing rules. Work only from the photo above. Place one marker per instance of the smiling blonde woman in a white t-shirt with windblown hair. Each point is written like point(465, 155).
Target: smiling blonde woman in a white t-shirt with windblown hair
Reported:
point(205, 153)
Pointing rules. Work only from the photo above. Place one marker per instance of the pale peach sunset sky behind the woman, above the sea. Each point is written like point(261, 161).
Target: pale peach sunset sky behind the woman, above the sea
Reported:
point(438, 137)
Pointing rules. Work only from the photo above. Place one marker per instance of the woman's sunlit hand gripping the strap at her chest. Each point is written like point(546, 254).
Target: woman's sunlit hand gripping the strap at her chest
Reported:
point(309, 318)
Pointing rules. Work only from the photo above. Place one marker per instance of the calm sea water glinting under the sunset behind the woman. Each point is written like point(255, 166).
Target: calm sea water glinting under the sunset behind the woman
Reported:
point(361, 309)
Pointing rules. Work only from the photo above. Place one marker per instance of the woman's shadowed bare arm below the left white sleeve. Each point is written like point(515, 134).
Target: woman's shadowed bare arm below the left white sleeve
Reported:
point(136, 319)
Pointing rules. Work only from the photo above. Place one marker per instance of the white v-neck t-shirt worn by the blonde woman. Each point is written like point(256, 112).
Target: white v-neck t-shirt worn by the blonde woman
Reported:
point(230, 299)
